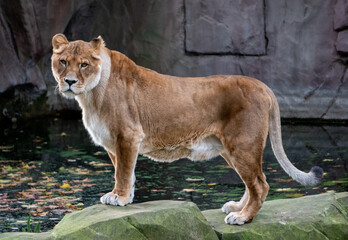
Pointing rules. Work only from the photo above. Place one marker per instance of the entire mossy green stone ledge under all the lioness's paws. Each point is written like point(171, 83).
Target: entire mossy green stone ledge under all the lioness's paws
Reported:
point(323, 216)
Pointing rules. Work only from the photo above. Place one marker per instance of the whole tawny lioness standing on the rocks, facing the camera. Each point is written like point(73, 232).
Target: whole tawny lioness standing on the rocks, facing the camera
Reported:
point(131, 110)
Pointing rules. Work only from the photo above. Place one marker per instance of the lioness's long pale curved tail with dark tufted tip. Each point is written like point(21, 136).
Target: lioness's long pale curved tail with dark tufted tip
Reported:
point(308, 179)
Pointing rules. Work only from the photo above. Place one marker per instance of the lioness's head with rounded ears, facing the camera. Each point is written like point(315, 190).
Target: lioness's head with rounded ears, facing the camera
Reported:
point(76, 66)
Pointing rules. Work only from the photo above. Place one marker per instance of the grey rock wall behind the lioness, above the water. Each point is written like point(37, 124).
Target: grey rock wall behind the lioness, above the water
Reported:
point(298, 48)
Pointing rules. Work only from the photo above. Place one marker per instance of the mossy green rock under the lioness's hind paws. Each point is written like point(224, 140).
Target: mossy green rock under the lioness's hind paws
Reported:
point(322, 216)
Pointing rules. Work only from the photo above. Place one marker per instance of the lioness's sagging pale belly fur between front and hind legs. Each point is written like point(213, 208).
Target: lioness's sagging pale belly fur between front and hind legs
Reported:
point(203, 149)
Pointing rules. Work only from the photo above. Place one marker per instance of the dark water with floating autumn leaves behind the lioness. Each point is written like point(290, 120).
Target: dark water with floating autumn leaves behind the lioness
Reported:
point(49, 168)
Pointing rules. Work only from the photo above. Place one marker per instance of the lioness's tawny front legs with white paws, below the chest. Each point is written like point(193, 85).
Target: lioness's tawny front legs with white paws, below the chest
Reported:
point(124, 163)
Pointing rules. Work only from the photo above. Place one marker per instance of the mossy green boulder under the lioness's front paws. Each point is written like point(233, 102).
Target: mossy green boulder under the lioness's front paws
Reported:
point(151, 220)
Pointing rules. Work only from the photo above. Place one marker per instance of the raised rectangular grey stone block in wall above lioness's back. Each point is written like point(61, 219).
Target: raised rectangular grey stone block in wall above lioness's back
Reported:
point(235, 27)
